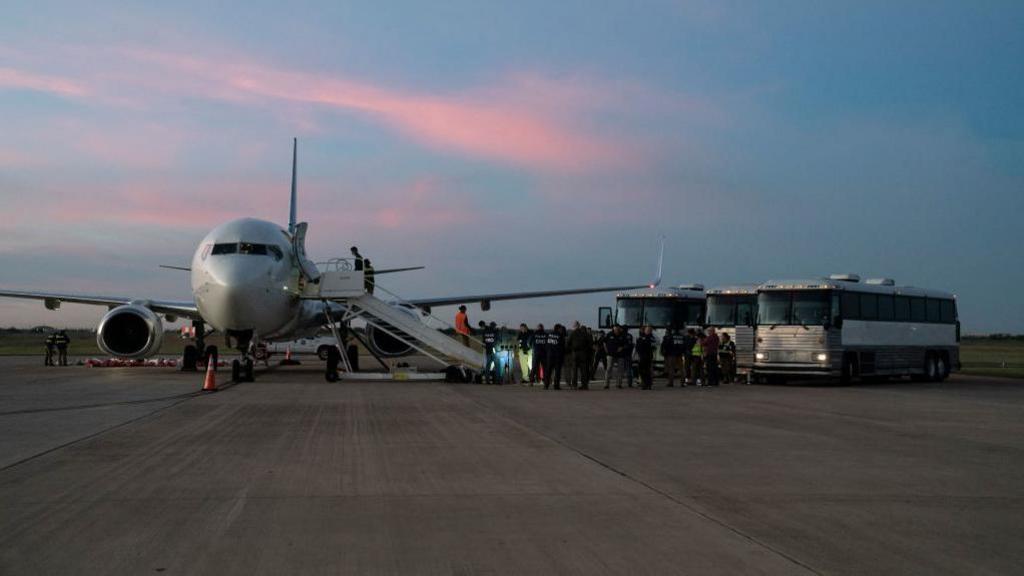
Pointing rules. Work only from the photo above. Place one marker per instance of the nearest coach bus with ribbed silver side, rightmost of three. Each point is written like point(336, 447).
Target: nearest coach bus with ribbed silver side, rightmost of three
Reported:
point(842, 327)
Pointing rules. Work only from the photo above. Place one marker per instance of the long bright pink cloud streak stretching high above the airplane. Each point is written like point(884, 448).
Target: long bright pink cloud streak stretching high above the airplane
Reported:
point(533, 131)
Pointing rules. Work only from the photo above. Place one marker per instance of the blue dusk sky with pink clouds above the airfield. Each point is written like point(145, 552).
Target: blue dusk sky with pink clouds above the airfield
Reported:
point(520, 146)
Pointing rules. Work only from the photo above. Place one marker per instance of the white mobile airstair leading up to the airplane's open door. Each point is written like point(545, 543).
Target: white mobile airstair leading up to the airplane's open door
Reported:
point(340, 283)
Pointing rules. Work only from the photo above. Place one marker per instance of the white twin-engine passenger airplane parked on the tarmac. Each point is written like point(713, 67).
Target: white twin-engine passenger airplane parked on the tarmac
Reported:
point(248, 278)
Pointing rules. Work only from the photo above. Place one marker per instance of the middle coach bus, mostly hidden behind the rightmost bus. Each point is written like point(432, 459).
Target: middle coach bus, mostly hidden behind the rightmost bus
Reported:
point(734, 311)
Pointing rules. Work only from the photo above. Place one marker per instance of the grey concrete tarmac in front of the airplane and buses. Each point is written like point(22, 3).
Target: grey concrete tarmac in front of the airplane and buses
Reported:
point(127, 471)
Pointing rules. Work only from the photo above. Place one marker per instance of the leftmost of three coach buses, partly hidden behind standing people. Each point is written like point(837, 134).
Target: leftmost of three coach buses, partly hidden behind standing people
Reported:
point(676, 308)
